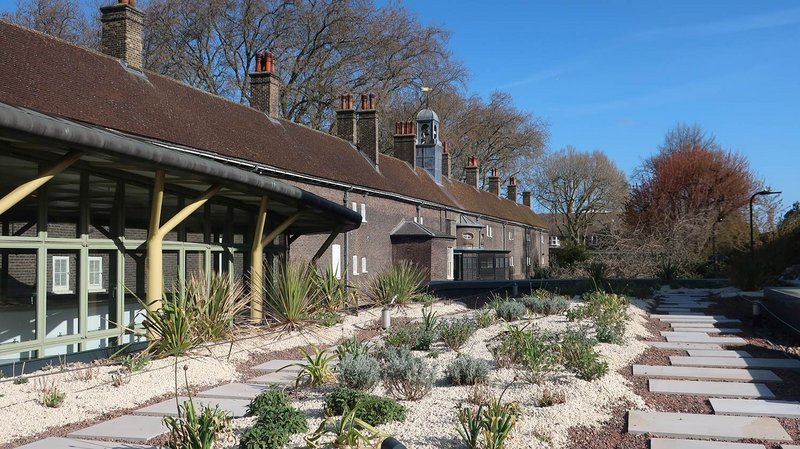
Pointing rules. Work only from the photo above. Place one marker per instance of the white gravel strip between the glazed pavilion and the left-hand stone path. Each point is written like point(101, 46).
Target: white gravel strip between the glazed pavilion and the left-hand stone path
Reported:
point(22, 415)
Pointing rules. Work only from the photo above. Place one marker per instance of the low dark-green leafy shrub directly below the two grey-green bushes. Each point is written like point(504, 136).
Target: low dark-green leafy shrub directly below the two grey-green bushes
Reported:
point(372, 409)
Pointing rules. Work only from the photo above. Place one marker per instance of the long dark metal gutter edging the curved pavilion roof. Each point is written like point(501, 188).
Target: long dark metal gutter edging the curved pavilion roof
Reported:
point(95, 139)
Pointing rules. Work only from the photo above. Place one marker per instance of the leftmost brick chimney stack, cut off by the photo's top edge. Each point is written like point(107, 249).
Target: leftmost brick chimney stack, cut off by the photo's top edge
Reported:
point(121, 35)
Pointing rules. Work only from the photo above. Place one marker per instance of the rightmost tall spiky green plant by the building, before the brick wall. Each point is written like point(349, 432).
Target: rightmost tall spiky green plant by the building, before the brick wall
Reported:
point(399, 285)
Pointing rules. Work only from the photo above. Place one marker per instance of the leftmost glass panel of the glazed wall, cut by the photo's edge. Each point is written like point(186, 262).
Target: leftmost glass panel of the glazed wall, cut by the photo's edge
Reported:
point(17, 295)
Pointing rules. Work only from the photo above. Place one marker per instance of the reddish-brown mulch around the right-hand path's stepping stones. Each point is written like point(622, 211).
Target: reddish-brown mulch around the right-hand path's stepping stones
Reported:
point(769, 339)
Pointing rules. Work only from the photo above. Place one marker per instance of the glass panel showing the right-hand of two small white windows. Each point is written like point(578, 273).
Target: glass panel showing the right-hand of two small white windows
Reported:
point(102, 290)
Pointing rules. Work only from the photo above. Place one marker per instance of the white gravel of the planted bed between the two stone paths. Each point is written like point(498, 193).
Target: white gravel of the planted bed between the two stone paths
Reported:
point(431, 421)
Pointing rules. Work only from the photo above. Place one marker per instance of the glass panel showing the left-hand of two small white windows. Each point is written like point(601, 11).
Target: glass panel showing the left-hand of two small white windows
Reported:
point(61, 316)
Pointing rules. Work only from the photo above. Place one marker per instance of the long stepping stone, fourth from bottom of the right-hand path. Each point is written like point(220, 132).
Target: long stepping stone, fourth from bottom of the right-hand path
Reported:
point(710, 389)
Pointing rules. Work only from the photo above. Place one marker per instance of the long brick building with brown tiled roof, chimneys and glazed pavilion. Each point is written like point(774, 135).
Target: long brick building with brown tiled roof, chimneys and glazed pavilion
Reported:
point(105, 164)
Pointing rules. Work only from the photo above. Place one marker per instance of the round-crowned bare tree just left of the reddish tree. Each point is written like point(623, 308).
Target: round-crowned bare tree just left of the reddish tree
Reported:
point(576, 187)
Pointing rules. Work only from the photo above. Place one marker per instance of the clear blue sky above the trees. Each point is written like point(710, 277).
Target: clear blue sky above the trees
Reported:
point(616, 75)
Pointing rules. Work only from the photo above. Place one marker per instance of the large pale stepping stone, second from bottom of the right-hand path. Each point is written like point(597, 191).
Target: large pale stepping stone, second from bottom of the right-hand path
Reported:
point(689, 425)
